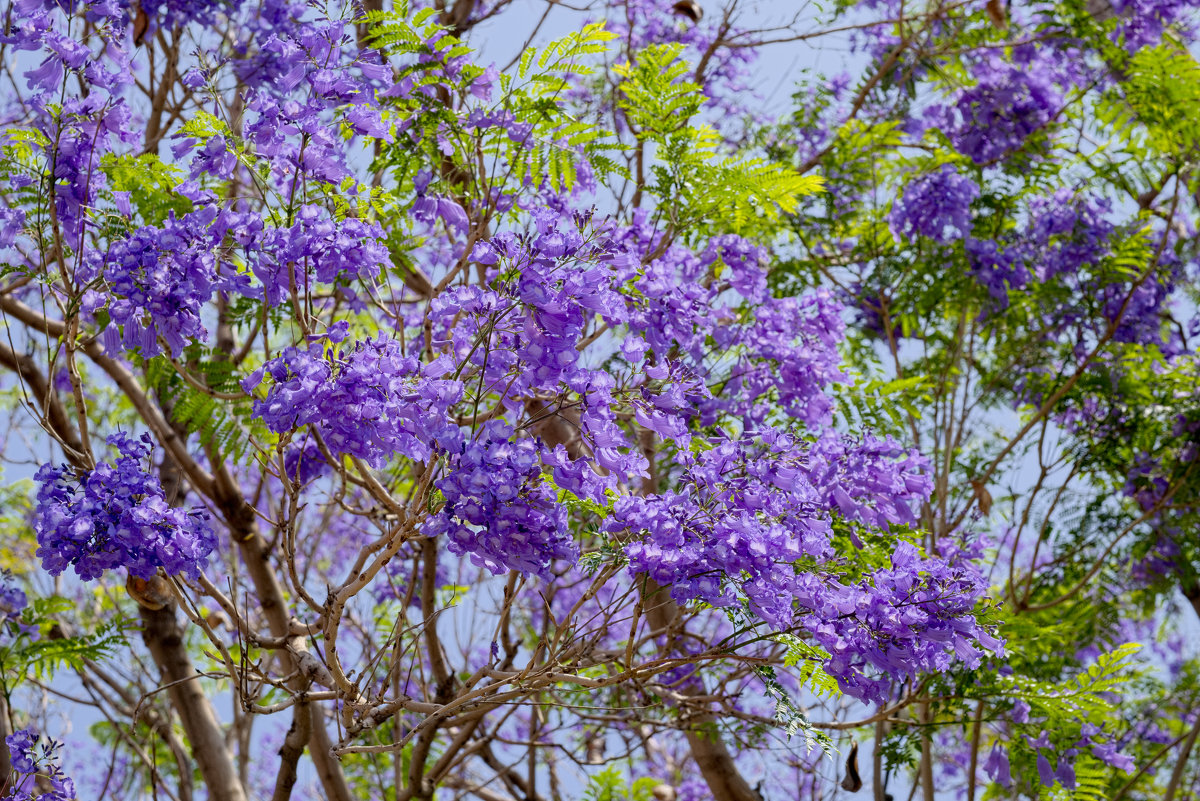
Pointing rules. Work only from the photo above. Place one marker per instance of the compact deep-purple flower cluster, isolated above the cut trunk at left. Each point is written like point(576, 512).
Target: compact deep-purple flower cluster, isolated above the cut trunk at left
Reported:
point(116, 516)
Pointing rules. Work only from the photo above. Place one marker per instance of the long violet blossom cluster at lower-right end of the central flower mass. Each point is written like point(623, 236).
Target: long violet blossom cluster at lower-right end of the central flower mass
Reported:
point(751, 511)
